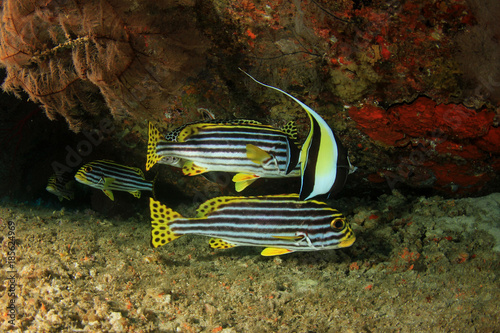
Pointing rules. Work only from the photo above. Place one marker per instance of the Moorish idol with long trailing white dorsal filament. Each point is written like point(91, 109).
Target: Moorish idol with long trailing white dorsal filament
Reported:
point(323, 159)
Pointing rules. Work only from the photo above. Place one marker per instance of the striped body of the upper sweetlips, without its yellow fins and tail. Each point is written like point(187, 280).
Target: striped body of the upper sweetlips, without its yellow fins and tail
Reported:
point(223, 147)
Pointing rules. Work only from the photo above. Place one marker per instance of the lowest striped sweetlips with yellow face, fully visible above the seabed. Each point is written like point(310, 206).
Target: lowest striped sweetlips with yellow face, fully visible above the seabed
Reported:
point(280, 223)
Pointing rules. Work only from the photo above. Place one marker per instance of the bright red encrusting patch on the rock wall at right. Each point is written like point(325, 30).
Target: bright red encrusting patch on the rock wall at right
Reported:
point(451, 126)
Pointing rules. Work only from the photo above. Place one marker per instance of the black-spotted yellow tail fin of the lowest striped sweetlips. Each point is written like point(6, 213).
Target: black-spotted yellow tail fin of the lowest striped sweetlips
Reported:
point(161, 217)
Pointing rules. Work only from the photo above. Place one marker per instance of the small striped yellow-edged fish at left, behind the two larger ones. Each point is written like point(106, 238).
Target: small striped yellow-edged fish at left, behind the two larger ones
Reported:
point(110, 176)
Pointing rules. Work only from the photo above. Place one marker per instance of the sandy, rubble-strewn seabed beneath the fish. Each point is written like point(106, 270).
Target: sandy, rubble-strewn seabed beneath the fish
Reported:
point(418, 265)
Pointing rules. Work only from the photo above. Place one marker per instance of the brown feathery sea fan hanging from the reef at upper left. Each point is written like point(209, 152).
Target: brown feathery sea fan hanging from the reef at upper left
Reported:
point(79, 58)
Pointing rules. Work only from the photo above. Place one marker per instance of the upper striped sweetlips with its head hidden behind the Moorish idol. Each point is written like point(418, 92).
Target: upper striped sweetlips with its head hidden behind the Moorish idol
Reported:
point(247, 148)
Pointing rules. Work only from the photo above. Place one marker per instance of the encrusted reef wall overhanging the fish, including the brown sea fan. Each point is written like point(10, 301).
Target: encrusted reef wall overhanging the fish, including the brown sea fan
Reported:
point(411, 87)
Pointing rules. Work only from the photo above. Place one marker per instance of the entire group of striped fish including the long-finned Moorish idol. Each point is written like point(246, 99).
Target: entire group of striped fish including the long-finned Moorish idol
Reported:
point(250, 150)
